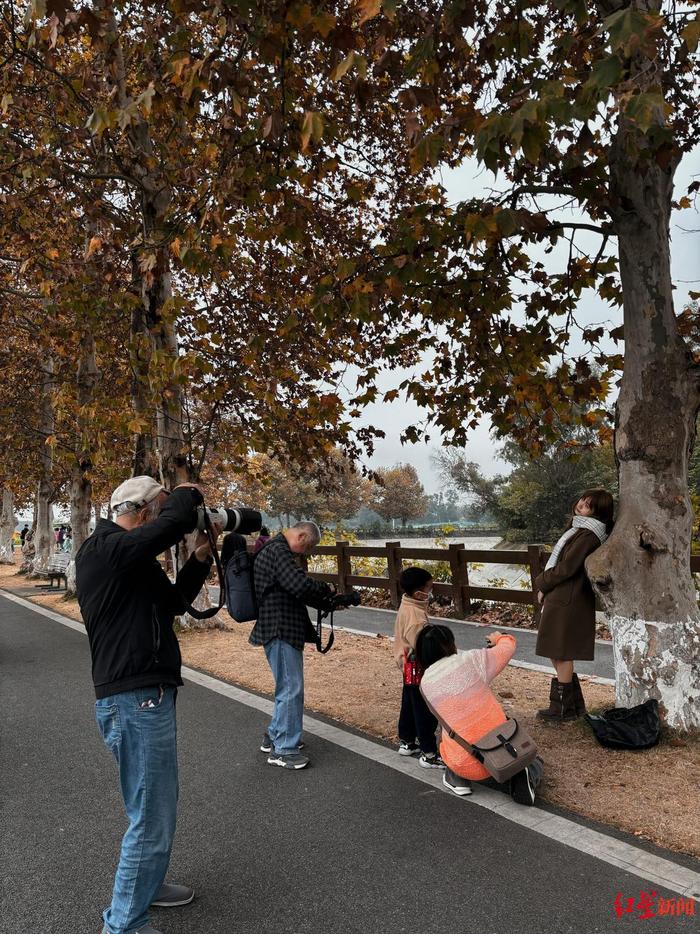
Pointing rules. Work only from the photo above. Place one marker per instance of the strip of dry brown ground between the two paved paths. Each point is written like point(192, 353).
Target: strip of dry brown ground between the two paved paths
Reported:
point(651, 793)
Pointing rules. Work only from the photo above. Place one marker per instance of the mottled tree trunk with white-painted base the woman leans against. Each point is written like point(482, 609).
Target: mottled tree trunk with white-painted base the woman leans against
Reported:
point(642, 573)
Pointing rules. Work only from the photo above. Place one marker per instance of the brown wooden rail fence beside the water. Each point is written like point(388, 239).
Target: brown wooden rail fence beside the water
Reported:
point(459, 558)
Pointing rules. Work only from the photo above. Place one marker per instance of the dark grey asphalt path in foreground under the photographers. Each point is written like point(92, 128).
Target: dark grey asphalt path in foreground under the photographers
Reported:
point(347, 845)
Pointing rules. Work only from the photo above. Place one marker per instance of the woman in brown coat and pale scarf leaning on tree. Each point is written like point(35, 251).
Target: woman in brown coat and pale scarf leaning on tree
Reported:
point(567, 623)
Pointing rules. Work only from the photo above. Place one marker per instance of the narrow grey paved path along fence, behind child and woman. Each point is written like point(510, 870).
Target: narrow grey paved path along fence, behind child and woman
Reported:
point(467, 636)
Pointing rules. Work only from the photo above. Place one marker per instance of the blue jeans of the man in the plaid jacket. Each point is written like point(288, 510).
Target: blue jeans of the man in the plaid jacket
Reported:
point(287, 664)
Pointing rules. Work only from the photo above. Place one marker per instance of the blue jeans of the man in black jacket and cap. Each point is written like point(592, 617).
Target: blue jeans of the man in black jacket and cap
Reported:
point(139, 728)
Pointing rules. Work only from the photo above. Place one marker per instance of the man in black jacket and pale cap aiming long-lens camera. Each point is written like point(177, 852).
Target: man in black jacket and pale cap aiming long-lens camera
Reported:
point(129, 605)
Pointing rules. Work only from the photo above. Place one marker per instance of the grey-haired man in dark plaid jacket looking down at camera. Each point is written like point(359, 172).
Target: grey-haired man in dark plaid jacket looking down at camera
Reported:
point(283, 591)
